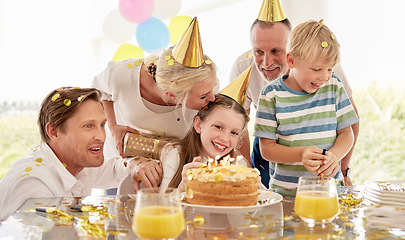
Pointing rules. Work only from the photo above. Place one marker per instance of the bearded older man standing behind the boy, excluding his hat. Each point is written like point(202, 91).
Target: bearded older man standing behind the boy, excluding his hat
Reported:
point(268, 55)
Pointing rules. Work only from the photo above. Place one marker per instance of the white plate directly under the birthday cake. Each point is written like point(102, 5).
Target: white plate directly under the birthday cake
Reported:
point(266, 198)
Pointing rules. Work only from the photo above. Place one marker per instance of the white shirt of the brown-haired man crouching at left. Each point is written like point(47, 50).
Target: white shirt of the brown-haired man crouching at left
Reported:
point(40, 174)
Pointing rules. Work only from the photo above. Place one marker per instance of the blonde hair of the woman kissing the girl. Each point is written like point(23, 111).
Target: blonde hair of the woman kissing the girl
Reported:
point(178, 78)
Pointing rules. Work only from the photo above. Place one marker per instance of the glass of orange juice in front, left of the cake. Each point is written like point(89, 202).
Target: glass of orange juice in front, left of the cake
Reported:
point(158, 214)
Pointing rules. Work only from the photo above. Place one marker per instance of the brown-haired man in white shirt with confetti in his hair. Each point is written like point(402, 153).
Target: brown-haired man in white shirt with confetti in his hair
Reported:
point(69, 161)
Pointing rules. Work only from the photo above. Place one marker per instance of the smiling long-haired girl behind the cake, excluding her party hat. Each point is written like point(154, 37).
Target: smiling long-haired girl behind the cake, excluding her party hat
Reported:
point(216, 131)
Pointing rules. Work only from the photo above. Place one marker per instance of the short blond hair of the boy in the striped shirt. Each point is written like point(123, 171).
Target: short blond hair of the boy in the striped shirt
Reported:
point(311, 40)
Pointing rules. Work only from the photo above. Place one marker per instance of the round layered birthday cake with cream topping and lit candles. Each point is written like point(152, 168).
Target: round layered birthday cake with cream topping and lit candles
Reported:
point(222, 184)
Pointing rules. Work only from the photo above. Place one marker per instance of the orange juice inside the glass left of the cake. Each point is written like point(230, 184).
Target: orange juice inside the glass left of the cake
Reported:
point(159, 222)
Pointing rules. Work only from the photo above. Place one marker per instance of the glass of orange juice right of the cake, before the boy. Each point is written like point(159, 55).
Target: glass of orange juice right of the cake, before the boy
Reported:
point(316, 201)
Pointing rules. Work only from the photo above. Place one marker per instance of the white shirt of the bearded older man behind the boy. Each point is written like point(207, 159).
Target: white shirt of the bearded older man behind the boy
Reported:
point(257, 82)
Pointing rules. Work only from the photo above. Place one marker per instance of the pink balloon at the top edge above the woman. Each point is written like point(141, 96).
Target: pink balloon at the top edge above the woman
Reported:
point(137, 11)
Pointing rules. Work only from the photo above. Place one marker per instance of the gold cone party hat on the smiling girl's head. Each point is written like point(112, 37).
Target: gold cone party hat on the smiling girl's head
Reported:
point(237, 89)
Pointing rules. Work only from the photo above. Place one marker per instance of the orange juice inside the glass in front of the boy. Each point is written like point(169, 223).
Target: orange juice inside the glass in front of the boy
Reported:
point(316, 205)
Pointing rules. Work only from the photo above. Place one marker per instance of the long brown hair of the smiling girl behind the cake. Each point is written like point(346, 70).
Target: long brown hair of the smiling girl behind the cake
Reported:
point(191, 146)
